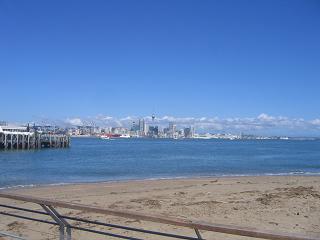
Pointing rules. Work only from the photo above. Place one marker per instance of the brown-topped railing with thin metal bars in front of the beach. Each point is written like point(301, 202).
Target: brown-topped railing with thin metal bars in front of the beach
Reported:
point(65, 227)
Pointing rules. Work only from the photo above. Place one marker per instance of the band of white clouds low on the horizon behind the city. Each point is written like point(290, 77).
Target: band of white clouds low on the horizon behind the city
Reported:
point(263, 124)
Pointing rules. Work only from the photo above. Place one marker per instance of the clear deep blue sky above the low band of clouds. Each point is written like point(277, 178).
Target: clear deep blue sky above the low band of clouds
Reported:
point(183, 58)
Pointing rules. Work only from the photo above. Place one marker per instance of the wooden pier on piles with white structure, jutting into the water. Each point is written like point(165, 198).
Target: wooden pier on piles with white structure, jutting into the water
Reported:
point(22, 138)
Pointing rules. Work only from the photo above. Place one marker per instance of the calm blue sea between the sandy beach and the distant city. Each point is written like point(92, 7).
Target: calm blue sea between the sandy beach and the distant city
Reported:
point(94, 160)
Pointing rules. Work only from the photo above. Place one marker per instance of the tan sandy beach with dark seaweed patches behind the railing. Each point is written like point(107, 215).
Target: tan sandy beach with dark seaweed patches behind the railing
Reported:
point(288, 204)
